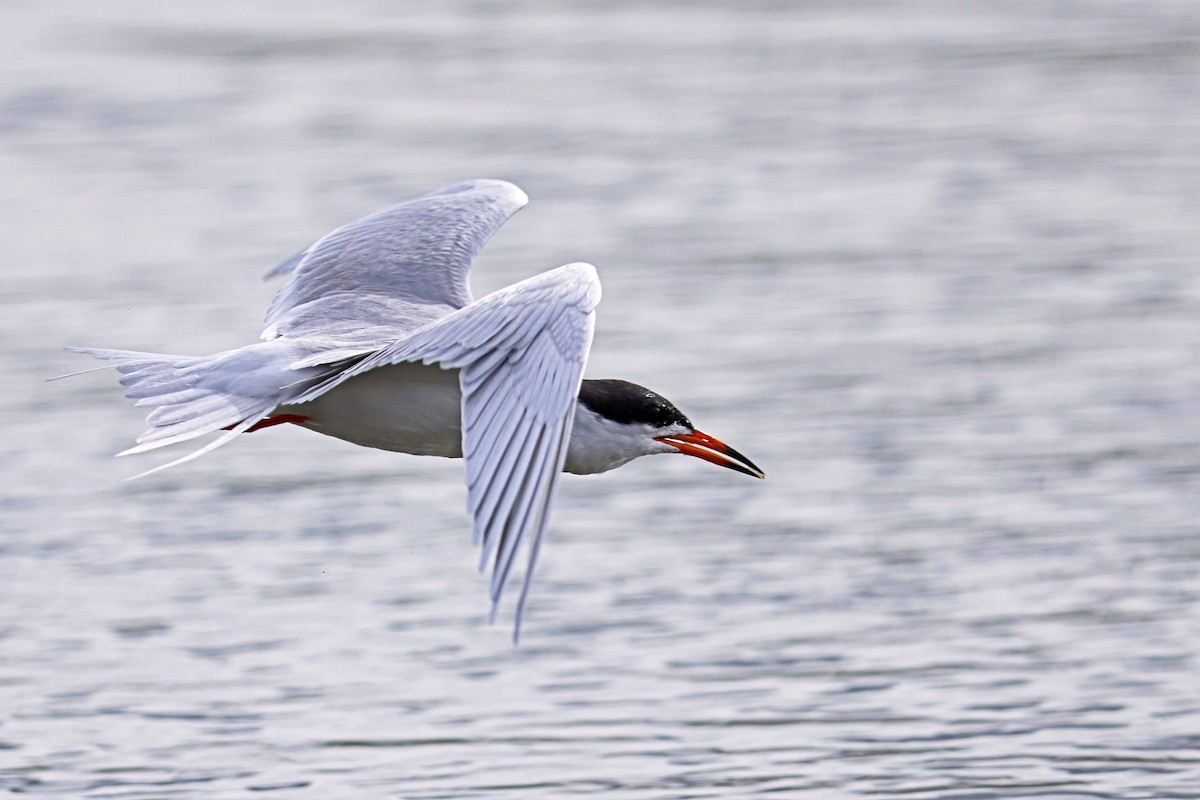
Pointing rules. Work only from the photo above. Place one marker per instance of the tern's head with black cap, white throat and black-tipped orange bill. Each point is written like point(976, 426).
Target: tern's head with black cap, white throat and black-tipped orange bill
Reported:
point(617, 422)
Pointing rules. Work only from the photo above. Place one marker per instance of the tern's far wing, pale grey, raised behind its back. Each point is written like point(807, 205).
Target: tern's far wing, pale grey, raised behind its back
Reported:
point(395, 270)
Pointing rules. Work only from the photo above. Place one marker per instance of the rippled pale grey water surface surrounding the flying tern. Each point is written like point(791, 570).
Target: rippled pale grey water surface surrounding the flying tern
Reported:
point(933, 266)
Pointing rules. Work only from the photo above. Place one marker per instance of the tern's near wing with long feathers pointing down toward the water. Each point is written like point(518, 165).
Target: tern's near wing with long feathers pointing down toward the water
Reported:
point(521, 354)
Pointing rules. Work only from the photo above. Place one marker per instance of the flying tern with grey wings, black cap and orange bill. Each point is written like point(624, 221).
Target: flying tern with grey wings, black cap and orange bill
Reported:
point(375, 339)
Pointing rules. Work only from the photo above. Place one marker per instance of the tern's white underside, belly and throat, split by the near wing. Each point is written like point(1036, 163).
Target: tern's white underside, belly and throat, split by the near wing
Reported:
point(418, 410)
